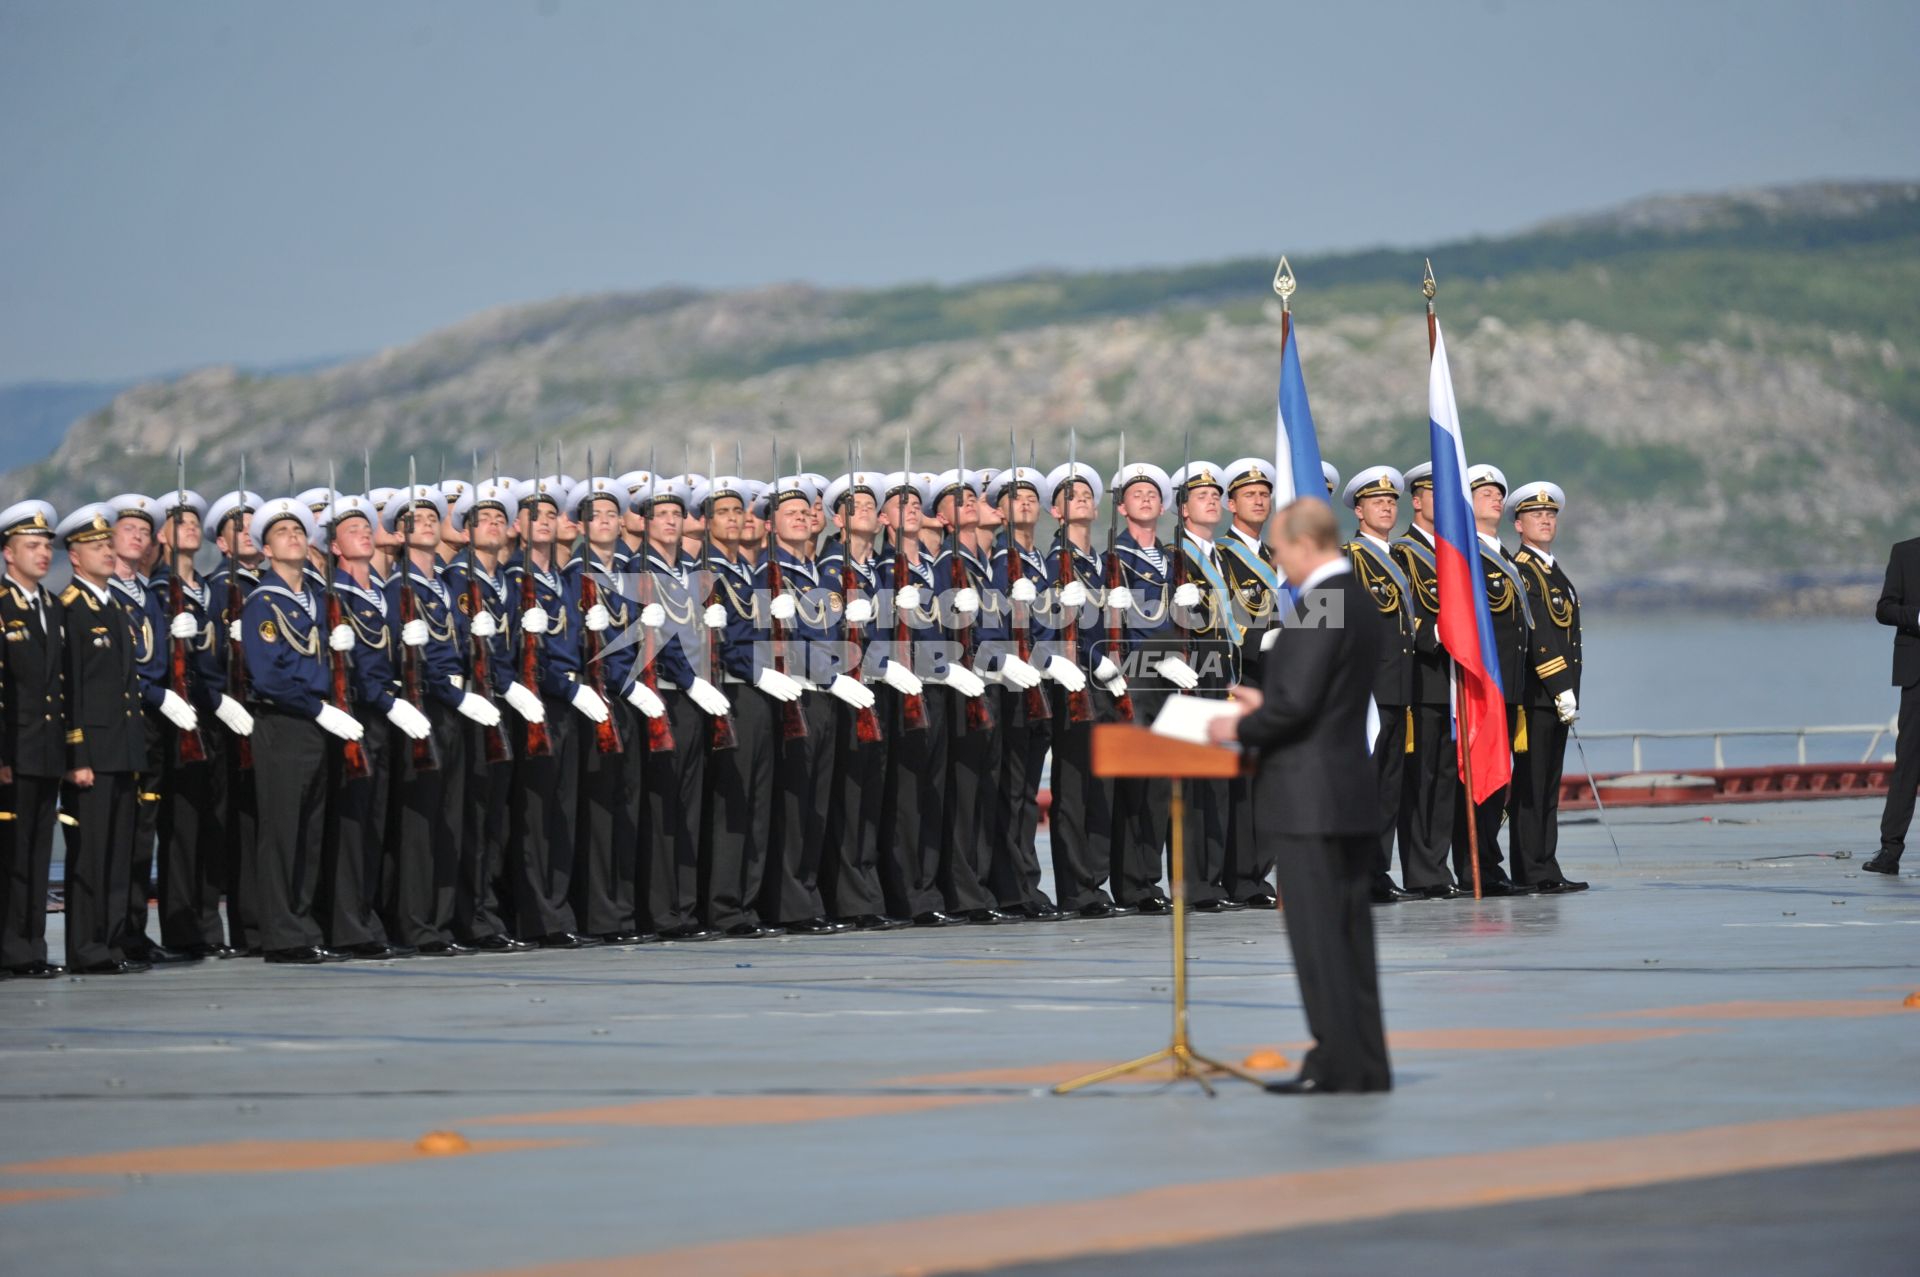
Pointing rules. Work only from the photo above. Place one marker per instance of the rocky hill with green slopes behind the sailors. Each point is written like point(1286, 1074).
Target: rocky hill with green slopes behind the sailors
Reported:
point(1729, 387)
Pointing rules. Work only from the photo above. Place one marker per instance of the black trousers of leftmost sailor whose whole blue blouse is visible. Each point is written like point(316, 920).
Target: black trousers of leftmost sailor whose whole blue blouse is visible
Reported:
point(291, 756)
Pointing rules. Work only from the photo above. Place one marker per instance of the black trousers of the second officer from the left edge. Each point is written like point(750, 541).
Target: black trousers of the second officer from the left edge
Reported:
point(101, 836)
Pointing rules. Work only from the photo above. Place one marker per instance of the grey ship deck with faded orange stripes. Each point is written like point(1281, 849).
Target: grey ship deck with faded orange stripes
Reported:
point(1702, 1065)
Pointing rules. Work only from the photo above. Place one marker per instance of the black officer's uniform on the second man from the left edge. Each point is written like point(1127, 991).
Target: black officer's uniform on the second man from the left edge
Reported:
point(107, 733)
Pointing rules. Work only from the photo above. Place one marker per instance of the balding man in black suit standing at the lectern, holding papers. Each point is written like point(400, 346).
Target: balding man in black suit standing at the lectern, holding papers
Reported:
point(1316, 777)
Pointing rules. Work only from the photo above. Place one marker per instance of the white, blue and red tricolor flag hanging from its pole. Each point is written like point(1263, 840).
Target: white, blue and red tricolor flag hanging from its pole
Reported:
point(1466, 623)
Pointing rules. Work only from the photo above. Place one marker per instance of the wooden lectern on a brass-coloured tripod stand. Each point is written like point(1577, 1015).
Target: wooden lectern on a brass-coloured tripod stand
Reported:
point(1124, 750)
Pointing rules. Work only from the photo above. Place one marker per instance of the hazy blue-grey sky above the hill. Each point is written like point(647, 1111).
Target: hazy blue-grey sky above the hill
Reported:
point(189, 183)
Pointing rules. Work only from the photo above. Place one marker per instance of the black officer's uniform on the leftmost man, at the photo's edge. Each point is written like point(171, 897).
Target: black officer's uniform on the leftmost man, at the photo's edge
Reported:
point(34, 744)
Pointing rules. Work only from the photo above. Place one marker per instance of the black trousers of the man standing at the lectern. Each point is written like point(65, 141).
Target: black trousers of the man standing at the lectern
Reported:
point(1326, 898)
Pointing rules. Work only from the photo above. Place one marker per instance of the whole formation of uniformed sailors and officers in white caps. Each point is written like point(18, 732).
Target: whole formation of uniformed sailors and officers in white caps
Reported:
point(492, 715)
